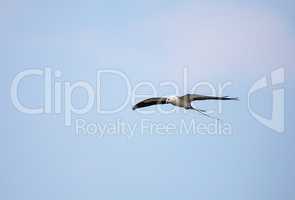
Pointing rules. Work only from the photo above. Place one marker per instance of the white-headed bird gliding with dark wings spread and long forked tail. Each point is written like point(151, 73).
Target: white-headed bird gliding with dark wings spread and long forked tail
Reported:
point(181, 101)
